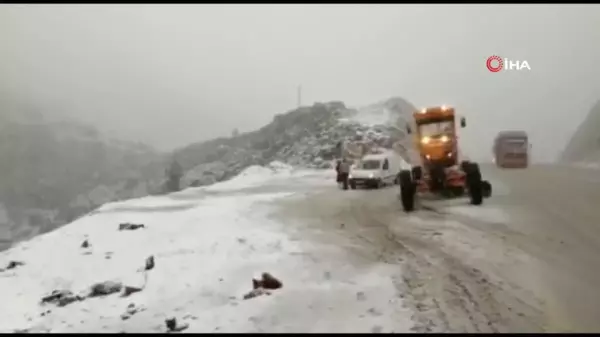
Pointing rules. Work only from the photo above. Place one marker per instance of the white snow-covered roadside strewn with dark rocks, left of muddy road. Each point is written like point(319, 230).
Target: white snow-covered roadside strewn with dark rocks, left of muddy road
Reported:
point(206, 251)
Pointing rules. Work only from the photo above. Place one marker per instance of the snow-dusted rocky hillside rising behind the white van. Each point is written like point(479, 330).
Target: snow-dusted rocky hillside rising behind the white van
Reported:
point(307, 137)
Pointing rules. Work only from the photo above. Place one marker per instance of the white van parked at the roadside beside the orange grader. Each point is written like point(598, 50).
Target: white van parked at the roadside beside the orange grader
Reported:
point(376, 170)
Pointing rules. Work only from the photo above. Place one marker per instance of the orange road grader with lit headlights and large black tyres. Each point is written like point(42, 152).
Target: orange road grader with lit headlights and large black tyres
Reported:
point(439, 169)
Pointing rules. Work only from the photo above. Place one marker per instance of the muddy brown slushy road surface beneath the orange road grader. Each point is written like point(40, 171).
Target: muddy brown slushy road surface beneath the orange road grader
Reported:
point(526, 261)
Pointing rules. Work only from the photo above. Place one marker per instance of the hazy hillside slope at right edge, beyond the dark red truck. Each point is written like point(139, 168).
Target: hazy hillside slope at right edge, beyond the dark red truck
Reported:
point(584, 147)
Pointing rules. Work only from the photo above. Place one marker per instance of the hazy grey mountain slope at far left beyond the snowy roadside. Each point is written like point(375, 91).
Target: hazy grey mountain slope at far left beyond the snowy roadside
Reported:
point(52, 171)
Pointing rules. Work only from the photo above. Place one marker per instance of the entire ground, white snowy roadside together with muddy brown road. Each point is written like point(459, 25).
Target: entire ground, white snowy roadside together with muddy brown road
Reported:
point(350, 261)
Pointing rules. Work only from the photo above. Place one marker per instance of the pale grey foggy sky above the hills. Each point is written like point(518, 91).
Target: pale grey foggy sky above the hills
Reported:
point(173, 74)
